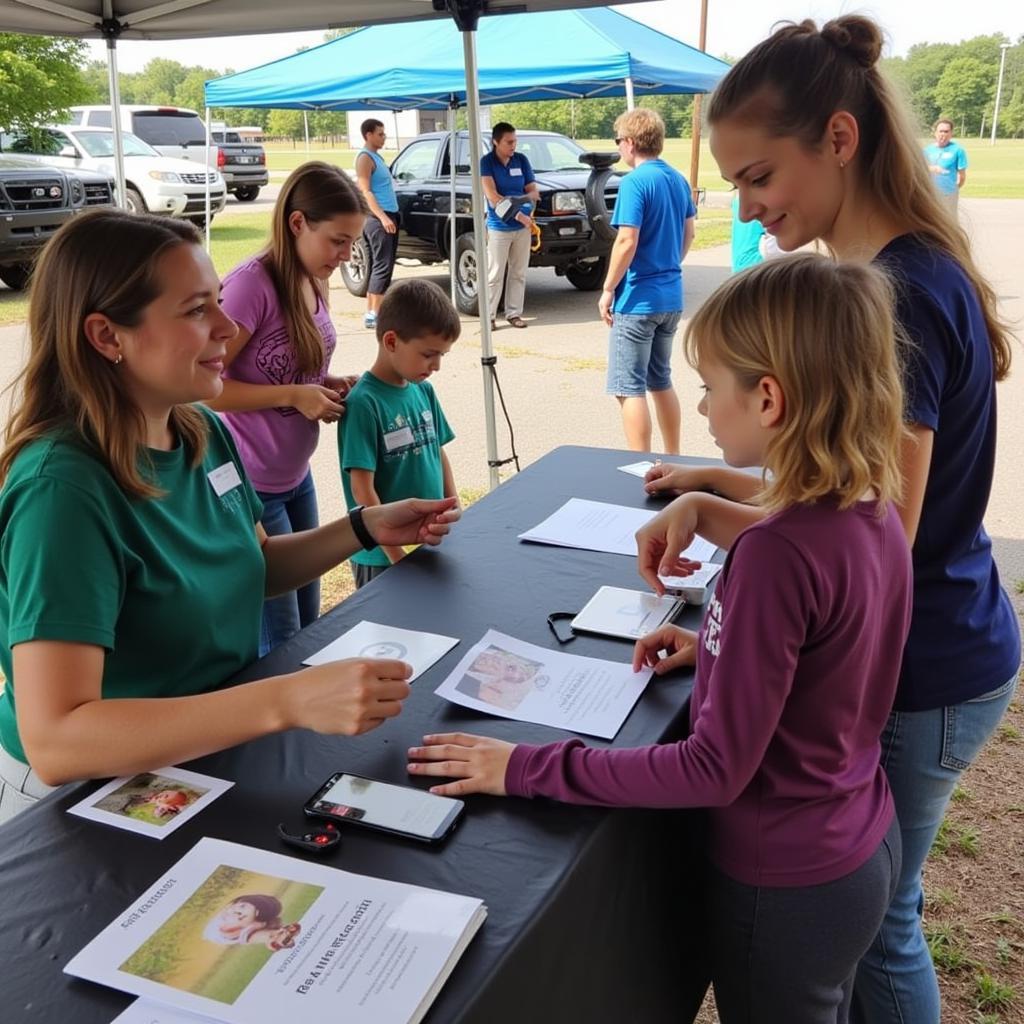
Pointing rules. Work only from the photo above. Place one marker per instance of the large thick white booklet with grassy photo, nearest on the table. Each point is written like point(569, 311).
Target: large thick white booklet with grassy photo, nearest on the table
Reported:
point(251, 937)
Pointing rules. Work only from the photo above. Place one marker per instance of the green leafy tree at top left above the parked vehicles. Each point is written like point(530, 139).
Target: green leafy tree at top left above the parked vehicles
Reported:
point(39, 79)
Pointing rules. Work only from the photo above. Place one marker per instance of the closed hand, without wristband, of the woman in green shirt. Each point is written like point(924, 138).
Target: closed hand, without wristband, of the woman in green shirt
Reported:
point(346, 698)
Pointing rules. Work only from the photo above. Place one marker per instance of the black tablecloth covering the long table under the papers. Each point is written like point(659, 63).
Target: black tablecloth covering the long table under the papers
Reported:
point(593, 915)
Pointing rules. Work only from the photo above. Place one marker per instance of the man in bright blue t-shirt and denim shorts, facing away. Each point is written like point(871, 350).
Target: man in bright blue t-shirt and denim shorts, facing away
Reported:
point(643, 302)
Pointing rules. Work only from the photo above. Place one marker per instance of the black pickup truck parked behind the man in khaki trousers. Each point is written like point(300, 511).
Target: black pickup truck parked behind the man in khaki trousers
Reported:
point(578, 192)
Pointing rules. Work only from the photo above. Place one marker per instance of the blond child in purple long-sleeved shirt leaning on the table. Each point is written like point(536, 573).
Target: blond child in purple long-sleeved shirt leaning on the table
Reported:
point(798, 658)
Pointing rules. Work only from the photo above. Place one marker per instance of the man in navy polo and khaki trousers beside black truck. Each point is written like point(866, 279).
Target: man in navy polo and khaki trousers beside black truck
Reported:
point(506, 175)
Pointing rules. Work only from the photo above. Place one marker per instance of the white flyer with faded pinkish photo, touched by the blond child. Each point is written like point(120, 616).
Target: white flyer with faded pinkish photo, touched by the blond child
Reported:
point(507, 677)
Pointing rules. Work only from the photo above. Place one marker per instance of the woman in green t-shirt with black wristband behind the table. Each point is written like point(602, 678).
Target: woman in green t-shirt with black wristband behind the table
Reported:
point(133, 564)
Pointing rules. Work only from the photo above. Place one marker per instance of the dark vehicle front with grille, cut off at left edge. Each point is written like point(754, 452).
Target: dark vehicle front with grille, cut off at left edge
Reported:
point(35, 201)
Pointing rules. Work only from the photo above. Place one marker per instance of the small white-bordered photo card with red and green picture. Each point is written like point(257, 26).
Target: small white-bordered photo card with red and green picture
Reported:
point(153, 803)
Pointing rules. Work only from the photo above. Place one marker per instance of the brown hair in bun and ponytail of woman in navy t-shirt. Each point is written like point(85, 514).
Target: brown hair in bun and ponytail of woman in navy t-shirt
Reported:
point(798, 78)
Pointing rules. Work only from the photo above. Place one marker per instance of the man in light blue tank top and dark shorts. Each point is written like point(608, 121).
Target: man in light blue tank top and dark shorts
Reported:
point(381, 229)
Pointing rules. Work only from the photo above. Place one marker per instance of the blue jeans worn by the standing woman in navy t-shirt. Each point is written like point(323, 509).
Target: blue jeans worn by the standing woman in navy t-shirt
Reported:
point(924, 754)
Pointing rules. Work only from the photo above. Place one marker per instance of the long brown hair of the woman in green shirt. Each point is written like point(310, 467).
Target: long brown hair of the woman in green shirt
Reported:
point(104, 262)
